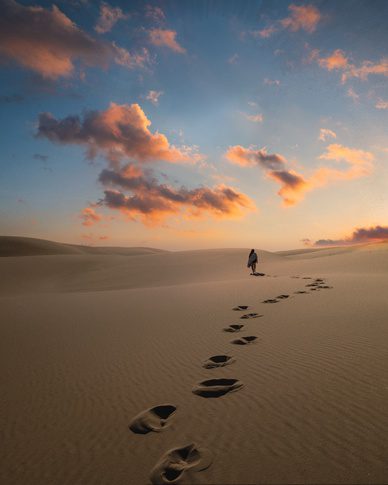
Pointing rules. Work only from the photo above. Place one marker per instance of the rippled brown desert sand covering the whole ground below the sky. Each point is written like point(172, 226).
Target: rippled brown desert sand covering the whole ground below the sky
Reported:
point(97, 345)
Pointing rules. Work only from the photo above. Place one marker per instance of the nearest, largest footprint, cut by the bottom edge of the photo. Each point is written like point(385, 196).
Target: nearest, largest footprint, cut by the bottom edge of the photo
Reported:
point(178, 462)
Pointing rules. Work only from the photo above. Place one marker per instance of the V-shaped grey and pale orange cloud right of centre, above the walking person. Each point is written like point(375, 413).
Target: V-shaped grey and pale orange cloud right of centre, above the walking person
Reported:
point(294, 185)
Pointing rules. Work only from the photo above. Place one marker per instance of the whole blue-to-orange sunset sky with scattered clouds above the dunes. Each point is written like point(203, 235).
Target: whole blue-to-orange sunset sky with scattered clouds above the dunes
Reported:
point(194, 124)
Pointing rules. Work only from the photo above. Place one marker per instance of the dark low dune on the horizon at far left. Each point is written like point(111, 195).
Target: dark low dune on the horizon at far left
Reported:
point(27, 246)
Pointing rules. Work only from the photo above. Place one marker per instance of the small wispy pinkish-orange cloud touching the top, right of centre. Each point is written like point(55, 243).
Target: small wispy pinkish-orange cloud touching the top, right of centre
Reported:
point(302, 17)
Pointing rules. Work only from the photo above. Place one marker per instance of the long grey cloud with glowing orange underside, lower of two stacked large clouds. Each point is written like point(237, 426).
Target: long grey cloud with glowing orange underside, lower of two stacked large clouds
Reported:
point(151, 202)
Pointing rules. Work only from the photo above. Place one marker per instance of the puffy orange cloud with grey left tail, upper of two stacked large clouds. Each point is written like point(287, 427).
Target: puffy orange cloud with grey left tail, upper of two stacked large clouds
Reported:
point(119, 132)
